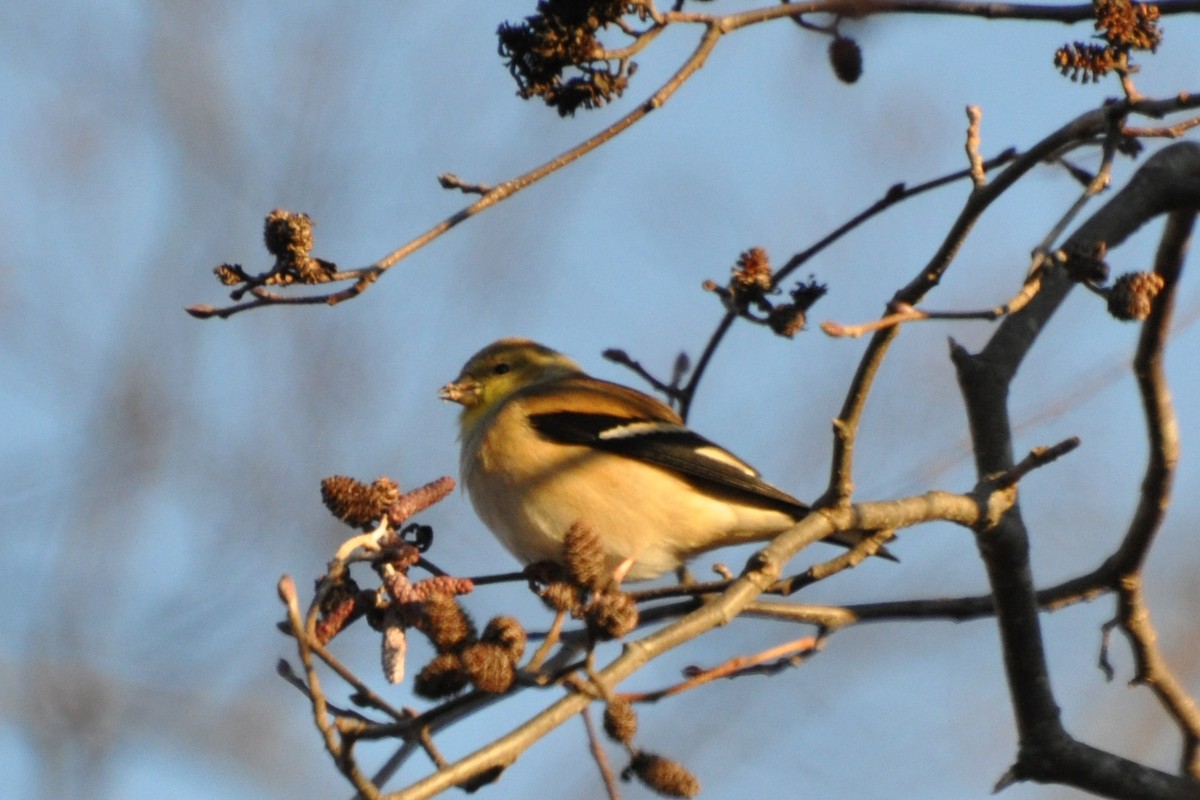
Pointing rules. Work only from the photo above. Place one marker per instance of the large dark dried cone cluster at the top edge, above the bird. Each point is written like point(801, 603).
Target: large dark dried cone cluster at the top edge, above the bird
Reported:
point(562, 37)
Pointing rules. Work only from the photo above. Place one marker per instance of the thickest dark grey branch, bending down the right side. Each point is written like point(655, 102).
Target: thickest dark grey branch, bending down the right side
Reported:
point(1169, 181)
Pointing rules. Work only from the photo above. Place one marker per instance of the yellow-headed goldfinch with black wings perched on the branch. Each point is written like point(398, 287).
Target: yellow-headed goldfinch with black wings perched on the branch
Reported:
point(545, 447)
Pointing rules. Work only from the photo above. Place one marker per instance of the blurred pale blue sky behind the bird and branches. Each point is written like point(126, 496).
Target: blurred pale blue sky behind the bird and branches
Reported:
point(163, 472)
